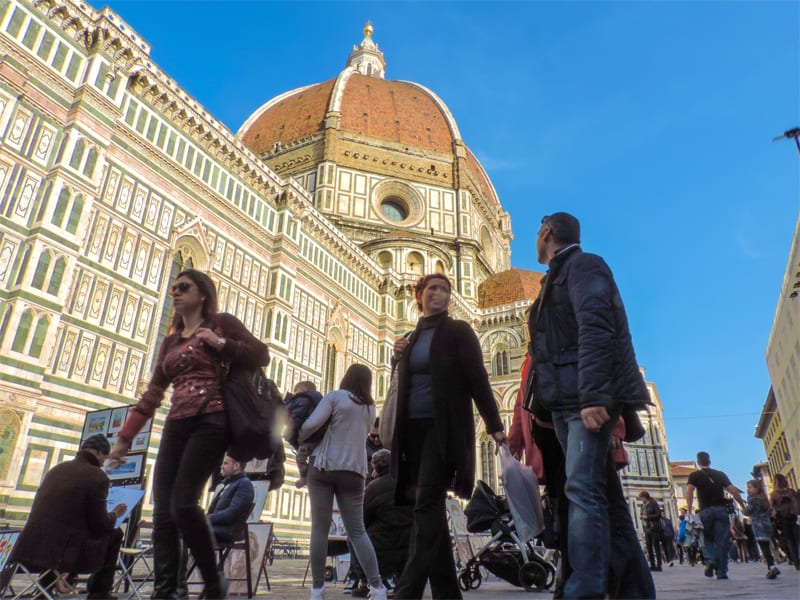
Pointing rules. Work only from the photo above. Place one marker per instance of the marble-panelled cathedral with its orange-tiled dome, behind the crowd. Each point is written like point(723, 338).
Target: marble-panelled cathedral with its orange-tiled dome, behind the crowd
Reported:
point(314, 220)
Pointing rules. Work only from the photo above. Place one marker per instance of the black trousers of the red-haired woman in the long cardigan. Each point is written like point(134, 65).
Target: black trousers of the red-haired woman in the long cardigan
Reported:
point(430, 555)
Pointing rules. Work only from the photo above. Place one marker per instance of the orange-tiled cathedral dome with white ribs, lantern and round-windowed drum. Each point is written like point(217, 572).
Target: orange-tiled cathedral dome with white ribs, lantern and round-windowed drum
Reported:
point(381, 156)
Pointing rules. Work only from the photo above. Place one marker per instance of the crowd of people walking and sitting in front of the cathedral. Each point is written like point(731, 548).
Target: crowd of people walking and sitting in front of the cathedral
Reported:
point(578, 402)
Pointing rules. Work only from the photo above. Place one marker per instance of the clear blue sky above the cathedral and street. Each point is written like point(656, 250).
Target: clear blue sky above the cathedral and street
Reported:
point(650, 121)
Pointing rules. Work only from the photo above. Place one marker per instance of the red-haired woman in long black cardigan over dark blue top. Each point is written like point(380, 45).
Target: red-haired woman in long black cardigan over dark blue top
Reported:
point(440, 373)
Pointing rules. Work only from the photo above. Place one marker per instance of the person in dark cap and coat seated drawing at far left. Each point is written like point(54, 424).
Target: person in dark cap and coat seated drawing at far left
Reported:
point(70, 528)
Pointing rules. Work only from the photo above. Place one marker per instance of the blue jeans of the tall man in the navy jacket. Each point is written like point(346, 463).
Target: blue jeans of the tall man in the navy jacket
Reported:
point(601, 538)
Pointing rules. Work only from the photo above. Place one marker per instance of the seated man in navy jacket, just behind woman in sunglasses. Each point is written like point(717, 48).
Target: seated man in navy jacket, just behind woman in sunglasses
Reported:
point(231, 504)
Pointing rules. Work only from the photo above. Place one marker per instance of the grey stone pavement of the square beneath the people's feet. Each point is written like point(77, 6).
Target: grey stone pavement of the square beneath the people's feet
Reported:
point(680, 582)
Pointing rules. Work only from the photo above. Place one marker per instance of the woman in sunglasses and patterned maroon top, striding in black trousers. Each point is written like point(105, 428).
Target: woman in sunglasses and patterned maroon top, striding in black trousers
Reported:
point(195, 435)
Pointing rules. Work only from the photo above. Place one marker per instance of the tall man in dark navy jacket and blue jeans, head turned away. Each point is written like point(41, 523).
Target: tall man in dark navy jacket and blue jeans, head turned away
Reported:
point(586, 375)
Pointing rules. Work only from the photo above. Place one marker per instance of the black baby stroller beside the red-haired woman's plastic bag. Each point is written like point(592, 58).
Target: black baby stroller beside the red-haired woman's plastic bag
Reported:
point(522, 564)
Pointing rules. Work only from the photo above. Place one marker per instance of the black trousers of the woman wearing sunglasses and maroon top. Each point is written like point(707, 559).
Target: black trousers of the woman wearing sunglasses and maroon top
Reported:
point(191, 450)
